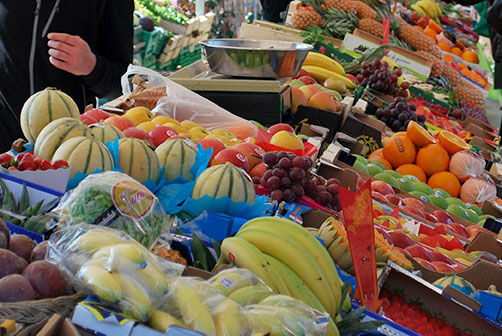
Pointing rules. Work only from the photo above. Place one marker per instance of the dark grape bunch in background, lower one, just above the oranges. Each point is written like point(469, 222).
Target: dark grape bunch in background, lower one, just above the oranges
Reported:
point(399, 114)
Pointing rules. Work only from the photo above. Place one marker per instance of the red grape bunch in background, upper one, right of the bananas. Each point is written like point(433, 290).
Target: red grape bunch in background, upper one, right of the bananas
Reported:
point(378, 77)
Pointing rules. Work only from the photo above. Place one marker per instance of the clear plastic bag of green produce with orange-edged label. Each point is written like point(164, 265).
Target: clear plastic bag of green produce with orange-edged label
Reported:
point(115, 200)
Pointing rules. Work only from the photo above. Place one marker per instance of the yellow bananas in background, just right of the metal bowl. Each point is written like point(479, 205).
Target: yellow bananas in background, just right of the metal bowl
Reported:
point(322, 67)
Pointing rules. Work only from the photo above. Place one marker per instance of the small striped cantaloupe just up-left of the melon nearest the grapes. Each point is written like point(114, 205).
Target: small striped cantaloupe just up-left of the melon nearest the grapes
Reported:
point(177, 157)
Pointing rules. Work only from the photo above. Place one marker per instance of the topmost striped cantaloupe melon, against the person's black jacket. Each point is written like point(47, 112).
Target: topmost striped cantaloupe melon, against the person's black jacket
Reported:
point(42, 108)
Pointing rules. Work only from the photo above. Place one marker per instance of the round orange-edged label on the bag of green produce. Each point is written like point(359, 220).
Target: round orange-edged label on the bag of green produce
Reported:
point(132, 199)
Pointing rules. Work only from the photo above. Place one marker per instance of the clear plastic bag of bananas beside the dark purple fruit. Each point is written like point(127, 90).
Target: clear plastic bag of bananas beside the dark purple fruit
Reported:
point(110, 265)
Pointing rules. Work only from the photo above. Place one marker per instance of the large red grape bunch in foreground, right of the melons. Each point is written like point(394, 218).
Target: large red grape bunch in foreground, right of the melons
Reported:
point(287, 177)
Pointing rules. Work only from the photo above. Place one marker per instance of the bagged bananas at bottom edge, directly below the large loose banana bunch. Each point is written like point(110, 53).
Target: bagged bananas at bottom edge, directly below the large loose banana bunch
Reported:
point(284, 315)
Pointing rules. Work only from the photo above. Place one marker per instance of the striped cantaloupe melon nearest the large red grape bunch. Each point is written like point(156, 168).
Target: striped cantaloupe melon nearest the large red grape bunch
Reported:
point(225, 180)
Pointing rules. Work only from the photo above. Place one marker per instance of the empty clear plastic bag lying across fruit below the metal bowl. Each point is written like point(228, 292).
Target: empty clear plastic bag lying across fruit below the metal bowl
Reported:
point(183, 104)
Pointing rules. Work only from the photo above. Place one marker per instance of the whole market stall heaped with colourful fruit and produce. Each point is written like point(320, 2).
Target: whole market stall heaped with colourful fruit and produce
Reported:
point(336, 174)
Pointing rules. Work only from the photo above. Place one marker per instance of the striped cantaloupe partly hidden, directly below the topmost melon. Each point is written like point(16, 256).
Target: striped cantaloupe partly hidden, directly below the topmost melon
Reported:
point(56, 133)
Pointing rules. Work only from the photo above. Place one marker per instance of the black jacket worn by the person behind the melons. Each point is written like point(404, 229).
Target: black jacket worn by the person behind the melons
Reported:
point(106, 25)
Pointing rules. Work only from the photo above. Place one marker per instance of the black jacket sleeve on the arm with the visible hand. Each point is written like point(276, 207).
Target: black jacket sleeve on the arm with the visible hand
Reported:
point(115, 49)
